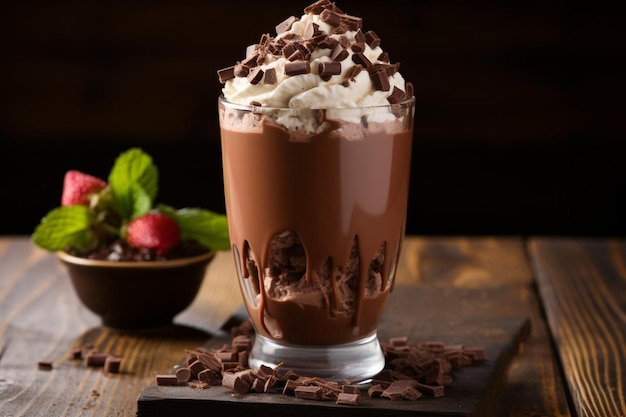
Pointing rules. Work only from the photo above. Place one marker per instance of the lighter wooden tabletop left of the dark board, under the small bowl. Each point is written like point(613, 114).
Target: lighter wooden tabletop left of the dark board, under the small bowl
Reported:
point(42, 319)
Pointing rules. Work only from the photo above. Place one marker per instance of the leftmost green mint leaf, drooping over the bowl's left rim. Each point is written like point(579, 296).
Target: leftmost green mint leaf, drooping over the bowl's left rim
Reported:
point(63, 227)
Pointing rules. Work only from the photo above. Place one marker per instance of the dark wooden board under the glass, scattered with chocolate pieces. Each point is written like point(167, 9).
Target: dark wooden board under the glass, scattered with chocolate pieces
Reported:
point(473, 317)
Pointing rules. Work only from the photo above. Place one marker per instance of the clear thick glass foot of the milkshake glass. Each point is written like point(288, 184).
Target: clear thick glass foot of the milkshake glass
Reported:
point(358, 361)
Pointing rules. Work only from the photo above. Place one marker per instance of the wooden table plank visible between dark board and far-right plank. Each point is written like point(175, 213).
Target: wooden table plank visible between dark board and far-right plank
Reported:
point(534, 386)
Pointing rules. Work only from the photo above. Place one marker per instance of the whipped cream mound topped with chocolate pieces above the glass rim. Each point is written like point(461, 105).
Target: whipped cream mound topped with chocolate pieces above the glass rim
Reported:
point(322, 60)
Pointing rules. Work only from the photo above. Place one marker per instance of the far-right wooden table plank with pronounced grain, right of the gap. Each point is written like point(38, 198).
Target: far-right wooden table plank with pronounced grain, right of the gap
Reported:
point(583, 286)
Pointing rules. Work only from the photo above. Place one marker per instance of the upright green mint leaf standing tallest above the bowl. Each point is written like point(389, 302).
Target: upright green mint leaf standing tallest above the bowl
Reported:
point(131, 169)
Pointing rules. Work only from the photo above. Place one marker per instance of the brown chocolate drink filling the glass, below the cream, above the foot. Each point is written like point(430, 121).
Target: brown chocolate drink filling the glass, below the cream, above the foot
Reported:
point(316, 225)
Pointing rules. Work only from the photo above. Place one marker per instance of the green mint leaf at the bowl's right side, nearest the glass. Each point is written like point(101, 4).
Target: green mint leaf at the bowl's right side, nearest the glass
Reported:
point(206, 227)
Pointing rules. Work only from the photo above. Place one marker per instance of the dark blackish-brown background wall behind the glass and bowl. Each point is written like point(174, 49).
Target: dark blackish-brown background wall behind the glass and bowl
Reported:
point(520, 117)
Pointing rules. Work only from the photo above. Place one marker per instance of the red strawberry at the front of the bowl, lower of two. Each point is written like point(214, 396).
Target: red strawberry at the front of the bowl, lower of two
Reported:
point(156, 231)
